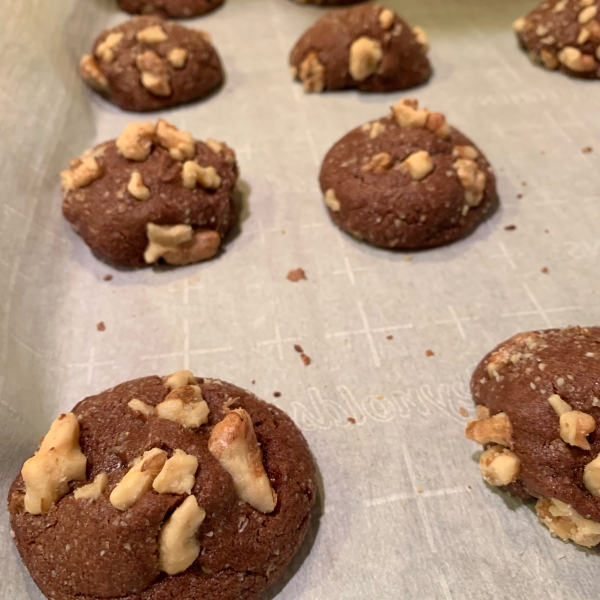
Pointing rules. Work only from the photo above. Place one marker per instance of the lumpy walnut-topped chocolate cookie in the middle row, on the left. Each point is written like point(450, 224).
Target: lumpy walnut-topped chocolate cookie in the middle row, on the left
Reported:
point(153, 193)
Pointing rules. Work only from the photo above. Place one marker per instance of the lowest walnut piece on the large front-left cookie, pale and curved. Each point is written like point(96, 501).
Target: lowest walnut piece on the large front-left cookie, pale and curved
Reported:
point(178, 545)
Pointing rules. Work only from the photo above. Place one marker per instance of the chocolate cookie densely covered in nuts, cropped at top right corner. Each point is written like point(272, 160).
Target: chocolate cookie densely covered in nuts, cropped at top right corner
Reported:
point(563, 34)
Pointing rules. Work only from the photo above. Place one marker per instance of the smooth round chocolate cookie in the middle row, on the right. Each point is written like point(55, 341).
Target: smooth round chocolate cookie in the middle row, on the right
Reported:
point(407, 181)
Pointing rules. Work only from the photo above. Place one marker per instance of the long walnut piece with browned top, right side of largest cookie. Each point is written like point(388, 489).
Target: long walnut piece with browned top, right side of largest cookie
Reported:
point(233, 443)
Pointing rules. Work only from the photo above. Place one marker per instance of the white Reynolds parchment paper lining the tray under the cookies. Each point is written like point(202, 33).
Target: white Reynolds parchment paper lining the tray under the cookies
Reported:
point(375, 534)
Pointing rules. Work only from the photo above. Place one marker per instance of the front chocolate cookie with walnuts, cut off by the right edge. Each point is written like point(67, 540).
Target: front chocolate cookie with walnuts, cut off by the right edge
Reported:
point(538, 405)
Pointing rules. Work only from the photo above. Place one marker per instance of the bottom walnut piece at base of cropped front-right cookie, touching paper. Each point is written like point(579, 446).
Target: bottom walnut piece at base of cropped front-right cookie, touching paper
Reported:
point(567, 523)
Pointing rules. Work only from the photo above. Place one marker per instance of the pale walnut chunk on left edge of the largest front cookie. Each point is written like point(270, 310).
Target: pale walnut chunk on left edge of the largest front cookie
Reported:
point(58, 461)
